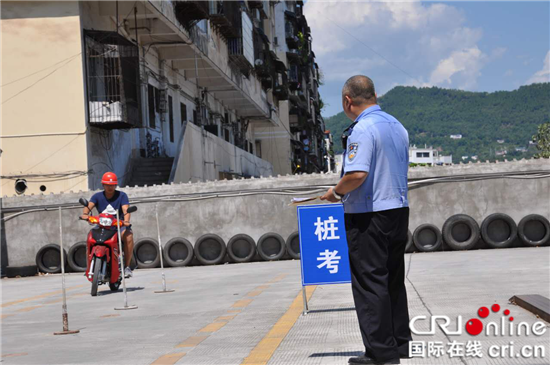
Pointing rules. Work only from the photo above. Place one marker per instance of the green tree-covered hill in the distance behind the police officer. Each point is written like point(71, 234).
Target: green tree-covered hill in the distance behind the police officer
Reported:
point(432, 114)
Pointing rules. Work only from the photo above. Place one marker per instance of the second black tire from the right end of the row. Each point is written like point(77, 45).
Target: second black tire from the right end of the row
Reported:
point(499, 230)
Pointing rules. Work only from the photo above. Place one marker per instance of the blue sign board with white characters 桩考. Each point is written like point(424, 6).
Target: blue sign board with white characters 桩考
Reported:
point(323, 246)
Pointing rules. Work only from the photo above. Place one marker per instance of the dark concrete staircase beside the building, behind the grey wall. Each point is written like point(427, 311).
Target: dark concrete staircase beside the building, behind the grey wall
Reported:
point(151, 171)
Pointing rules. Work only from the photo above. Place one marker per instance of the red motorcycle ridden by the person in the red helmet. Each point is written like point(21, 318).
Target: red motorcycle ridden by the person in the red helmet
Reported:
point(102, 250)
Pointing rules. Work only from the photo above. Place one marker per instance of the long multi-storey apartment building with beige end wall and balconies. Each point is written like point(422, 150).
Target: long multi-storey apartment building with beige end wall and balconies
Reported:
point(156, 91)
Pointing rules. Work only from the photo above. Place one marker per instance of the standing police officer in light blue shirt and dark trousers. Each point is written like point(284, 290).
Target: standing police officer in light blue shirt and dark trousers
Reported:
point(373, 189)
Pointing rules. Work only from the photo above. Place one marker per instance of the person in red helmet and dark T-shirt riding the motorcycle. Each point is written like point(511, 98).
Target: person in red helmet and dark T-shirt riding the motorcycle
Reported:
point(108, 201)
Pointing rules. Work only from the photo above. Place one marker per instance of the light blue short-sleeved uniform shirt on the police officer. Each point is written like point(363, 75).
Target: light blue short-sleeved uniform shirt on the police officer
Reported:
point(378, 144)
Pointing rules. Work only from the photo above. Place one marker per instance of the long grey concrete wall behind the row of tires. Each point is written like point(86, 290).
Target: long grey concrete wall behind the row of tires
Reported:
point(258, 214)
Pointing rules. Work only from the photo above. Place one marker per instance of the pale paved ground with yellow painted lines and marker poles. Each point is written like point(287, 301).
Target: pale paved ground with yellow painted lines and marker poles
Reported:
point(251, 313)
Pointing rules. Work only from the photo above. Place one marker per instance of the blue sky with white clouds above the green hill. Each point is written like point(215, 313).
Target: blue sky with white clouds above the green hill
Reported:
point(476, 46)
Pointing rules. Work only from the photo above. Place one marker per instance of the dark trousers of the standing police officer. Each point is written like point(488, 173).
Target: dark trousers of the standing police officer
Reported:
point(376, 249)
